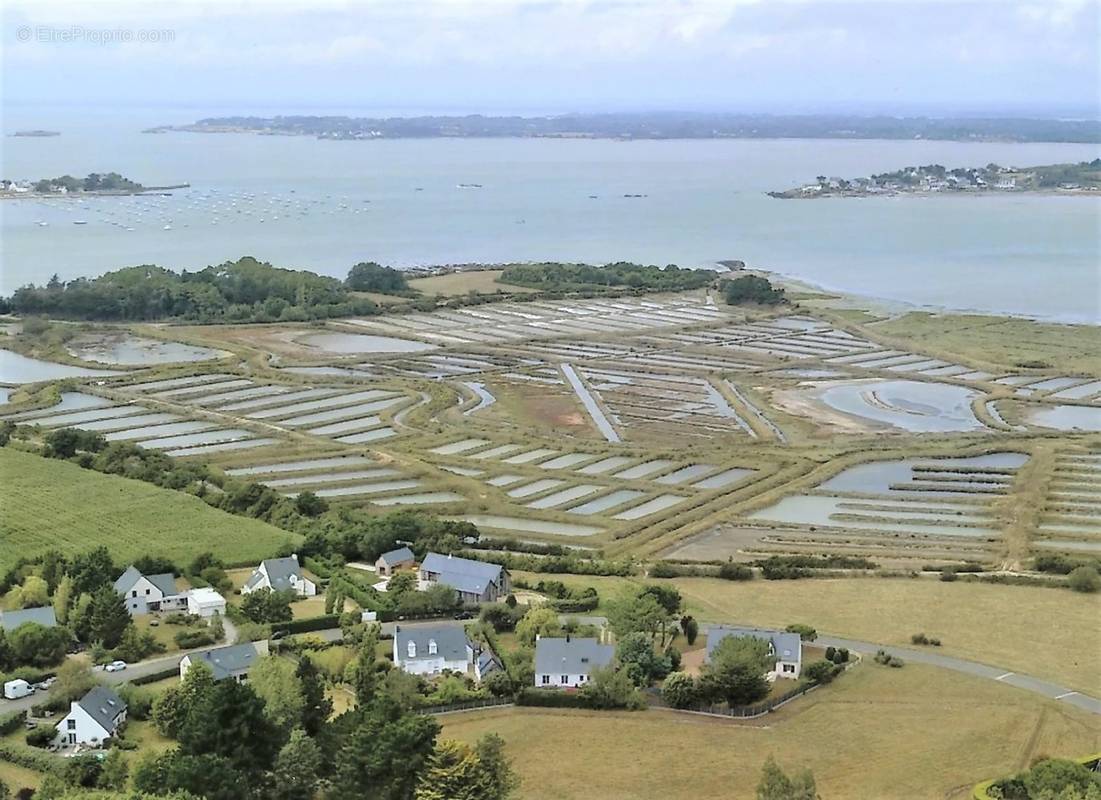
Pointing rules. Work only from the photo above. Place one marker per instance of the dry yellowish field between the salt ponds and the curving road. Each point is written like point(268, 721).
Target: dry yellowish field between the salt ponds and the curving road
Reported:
point(1048, 633)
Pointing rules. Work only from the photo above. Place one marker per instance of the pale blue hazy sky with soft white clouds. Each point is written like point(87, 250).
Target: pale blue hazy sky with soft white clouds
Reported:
point(936, 58)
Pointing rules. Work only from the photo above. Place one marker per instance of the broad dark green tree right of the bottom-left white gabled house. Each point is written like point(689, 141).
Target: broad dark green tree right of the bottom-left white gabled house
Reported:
point(230, 721)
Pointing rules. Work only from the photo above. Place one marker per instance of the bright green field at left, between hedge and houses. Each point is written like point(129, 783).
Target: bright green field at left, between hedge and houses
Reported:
point(54, 505)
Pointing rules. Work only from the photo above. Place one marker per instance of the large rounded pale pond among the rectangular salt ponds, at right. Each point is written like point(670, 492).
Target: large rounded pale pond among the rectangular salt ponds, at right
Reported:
point(911, 406)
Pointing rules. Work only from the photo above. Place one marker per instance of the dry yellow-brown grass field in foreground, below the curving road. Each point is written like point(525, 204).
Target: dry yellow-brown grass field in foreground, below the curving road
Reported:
point(881, 733)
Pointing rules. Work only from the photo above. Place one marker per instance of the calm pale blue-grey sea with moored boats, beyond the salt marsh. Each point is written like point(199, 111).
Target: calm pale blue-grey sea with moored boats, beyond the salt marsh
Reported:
point(321, 205)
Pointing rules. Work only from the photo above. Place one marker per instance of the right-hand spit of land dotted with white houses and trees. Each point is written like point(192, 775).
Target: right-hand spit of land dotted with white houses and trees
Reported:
point(1084, 178)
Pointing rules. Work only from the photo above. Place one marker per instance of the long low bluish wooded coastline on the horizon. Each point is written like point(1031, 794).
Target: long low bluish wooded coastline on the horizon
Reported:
point(653, 126)
